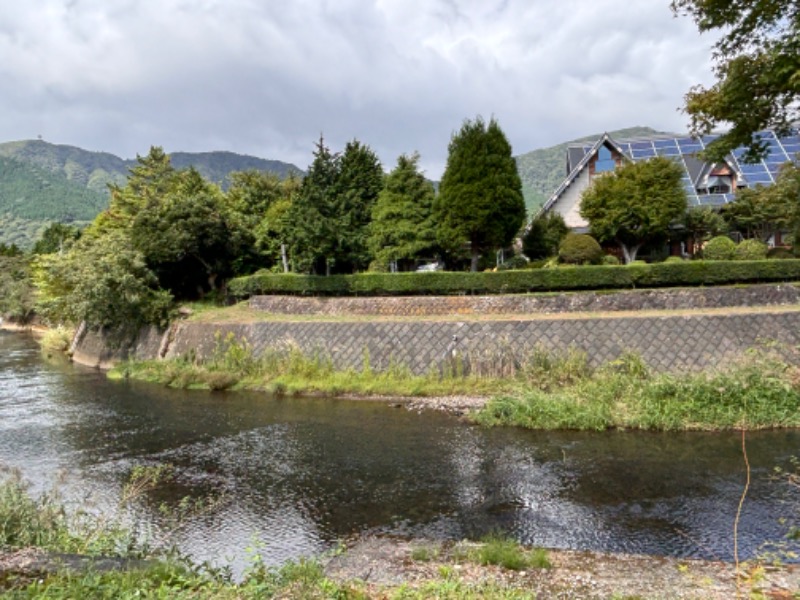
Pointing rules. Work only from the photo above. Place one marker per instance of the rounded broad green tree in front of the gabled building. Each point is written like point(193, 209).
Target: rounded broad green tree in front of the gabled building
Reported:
point(635, 203)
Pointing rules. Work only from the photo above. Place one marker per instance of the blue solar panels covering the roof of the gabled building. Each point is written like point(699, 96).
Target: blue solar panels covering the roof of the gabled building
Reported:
point(764, 172)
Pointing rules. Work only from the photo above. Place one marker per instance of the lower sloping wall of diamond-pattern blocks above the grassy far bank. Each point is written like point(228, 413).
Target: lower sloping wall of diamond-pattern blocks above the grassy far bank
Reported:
point(664, 342)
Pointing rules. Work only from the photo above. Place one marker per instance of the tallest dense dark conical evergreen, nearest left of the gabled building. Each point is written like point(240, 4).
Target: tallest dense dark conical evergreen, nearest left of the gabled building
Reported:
point(480, 196)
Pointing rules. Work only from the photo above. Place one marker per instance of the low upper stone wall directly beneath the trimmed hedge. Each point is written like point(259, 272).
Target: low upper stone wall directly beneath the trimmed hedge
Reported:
point(521, 304)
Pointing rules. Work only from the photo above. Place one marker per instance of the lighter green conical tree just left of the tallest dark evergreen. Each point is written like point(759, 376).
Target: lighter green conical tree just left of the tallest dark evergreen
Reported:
point(402, 227)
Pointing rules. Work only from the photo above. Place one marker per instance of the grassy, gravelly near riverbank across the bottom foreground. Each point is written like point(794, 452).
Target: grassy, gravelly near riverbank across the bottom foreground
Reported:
point(387, 568)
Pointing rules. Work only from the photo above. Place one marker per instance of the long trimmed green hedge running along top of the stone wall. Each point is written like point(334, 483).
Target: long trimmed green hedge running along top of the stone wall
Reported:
point(672, 274)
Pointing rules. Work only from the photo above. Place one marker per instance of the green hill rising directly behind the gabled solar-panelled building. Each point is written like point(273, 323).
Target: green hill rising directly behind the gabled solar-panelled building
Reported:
point(542, 171)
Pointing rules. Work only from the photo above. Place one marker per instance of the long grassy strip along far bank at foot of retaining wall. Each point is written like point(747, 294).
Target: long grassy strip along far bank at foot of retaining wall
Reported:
point(544, 391)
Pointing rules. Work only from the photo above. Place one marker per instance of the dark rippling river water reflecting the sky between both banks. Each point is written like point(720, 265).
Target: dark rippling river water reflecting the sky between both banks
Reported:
point(301, 474)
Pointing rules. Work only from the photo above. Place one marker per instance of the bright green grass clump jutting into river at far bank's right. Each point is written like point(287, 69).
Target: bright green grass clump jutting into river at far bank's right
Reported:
point(759, 391)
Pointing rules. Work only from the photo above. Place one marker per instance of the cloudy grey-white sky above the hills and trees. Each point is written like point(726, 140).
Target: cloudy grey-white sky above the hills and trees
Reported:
point(267, 77)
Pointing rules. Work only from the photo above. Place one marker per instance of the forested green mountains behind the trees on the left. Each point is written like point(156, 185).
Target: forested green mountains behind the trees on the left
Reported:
point(42, 182)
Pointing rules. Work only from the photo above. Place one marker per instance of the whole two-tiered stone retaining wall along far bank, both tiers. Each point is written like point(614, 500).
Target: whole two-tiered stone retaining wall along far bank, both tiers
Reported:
point(665, 341)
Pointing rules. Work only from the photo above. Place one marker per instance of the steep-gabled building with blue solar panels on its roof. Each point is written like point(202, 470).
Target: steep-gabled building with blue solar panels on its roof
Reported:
point(706, 183)
